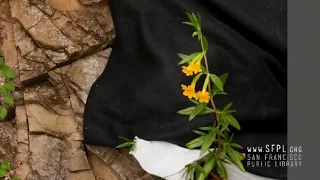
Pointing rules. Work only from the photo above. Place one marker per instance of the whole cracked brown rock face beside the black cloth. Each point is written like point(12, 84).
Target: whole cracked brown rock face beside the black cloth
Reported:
point(57, 48)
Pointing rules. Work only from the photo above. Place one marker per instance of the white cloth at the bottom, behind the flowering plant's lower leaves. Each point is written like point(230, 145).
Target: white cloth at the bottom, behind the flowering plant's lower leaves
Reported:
point(168, 161)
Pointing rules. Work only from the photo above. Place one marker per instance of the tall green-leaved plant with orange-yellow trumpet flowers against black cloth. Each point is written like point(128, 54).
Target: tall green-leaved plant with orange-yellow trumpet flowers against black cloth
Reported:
point(196, 66)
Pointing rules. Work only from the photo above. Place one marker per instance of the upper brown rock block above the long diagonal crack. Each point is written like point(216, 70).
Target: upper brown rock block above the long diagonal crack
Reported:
point(52, 35)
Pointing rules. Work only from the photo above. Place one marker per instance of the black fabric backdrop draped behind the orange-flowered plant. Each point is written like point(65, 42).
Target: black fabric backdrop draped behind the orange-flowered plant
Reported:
point(139, 92)
